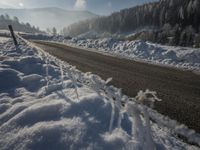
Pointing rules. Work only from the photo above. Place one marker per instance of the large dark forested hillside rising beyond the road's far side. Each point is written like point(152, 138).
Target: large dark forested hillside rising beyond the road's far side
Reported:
point(177, 22)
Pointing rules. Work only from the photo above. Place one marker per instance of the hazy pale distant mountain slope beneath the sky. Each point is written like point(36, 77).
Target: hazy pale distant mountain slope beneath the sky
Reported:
point(48, 17)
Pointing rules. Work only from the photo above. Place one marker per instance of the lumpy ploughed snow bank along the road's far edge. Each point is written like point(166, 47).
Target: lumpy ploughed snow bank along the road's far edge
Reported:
point(180, 57)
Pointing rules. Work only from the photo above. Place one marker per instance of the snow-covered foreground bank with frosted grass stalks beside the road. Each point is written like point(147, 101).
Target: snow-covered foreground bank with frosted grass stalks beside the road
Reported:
point(48, 104)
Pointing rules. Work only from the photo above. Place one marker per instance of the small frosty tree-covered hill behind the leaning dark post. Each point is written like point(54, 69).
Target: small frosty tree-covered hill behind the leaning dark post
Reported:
point(6, 20)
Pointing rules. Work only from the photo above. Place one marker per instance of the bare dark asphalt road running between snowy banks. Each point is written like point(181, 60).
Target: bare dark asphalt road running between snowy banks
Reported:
point(179, 90)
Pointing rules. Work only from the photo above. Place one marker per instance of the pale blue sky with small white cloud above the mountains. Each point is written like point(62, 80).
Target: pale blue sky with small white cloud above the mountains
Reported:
point(102, 7)
